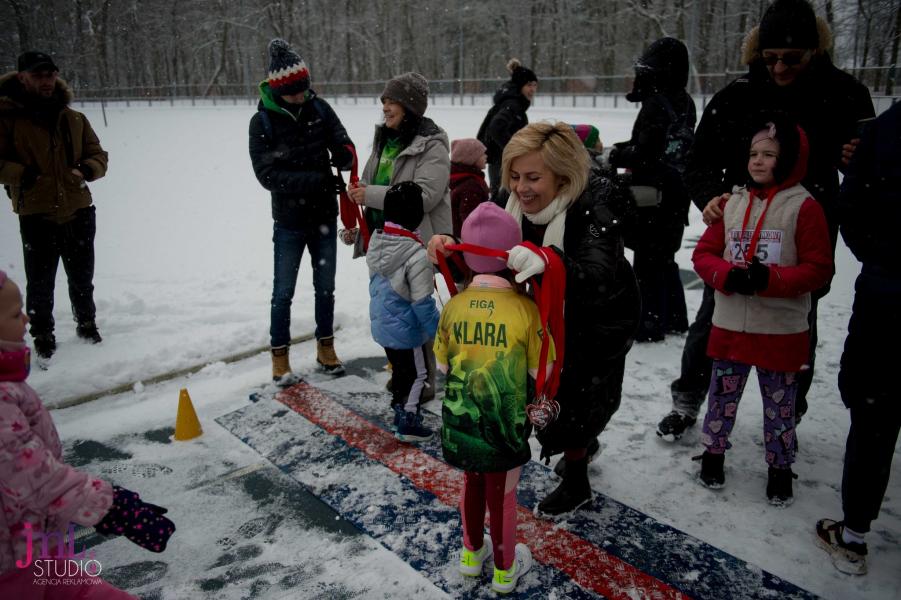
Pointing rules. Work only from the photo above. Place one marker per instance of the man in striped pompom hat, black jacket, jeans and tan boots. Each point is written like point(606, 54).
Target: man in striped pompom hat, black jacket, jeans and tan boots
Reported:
point(291, 137)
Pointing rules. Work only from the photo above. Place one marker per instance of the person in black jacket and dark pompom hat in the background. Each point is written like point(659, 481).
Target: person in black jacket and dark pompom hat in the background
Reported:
point(506, 117)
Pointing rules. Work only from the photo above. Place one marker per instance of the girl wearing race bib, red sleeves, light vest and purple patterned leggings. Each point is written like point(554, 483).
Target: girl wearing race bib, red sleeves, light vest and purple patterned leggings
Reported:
point(766, 255)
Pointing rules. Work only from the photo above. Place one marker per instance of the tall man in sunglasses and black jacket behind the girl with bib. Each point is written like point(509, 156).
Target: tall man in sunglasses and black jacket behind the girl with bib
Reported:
point(790, 71)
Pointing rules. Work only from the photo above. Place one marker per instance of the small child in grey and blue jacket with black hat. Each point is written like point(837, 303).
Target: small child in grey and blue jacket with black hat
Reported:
point(402, 311)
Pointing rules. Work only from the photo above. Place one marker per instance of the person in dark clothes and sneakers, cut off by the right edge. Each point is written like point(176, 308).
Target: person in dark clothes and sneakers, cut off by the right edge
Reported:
point(869, 210)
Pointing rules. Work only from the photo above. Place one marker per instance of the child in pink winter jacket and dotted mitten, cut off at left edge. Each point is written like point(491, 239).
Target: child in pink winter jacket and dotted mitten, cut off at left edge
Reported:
point(41, 496)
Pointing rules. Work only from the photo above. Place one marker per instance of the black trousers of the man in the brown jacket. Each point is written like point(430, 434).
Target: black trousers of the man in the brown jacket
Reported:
point(44, 242)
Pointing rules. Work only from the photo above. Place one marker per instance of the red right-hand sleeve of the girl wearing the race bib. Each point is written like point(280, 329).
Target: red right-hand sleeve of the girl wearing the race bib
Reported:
point(815, 264)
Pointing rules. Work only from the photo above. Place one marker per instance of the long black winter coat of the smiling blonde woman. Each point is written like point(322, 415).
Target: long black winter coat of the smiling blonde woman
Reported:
point(601, 315)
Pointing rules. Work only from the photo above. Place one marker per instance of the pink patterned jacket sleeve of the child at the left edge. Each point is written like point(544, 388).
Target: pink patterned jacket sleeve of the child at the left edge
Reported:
point(34, 482)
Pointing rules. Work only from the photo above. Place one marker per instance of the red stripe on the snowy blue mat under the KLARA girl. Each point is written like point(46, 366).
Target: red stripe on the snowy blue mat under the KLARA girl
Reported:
point(586, 564)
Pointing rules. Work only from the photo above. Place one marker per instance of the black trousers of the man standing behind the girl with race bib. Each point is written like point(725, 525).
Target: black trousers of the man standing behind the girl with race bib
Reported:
point(690, 390)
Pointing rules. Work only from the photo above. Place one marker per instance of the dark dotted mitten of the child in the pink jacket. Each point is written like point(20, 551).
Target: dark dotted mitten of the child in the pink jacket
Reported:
point(140, 522)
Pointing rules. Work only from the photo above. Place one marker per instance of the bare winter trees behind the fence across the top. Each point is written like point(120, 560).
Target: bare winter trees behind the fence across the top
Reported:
point(215, 45)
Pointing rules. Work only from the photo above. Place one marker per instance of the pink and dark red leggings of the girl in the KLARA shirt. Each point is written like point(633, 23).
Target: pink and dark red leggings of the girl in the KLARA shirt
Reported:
point(497, 491)
